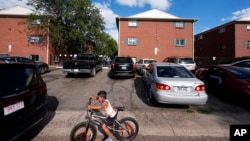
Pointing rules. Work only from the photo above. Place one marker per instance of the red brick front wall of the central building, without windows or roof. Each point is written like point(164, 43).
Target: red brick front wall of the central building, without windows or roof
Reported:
point(155, 34)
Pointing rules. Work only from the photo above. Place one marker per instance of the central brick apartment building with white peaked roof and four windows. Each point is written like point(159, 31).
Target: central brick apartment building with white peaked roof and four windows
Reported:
point(155, 34)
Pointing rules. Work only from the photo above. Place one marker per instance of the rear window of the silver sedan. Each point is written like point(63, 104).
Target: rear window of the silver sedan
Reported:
point(173, 71)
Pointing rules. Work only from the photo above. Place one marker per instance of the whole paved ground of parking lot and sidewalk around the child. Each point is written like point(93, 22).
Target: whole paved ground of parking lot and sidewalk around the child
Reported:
point(210, 122)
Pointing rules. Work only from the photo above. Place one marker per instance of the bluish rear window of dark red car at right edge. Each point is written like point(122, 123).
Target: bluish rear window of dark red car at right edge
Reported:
point(240, 73)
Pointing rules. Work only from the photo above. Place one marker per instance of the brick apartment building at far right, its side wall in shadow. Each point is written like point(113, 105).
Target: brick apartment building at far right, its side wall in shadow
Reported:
point(222, 43)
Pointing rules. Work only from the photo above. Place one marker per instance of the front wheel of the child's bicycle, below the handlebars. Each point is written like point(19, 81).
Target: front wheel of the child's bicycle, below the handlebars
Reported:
point(79, 133)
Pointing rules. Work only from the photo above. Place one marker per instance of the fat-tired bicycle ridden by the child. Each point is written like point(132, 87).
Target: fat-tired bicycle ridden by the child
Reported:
point(125, 129)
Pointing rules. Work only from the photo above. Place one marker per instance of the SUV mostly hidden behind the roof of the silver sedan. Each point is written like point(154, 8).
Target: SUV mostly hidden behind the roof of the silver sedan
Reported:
point(187, 62)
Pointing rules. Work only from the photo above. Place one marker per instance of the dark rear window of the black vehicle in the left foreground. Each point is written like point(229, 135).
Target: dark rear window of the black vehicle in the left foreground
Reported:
point(15, 80)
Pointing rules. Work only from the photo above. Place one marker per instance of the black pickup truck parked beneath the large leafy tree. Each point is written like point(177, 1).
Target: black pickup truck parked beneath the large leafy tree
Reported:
point(83, 63)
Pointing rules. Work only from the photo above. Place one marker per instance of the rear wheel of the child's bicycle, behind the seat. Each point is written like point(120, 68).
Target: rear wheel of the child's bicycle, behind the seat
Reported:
point(127, 130)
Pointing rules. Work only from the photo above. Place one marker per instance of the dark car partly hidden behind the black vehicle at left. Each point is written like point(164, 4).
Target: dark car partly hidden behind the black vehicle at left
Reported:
point(41, 66)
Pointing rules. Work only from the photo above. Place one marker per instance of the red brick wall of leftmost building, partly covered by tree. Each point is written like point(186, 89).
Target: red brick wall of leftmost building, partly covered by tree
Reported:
point(11, 33)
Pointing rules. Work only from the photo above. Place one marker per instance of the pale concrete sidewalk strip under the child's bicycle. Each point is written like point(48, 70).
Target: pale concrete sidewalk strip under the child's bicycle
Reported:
point(202, 127)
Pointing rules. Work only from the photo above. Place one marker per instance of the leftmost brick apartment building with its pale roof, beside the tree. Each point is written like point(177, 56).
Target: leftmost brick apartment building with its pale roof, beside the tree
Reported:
point(14, 41)
